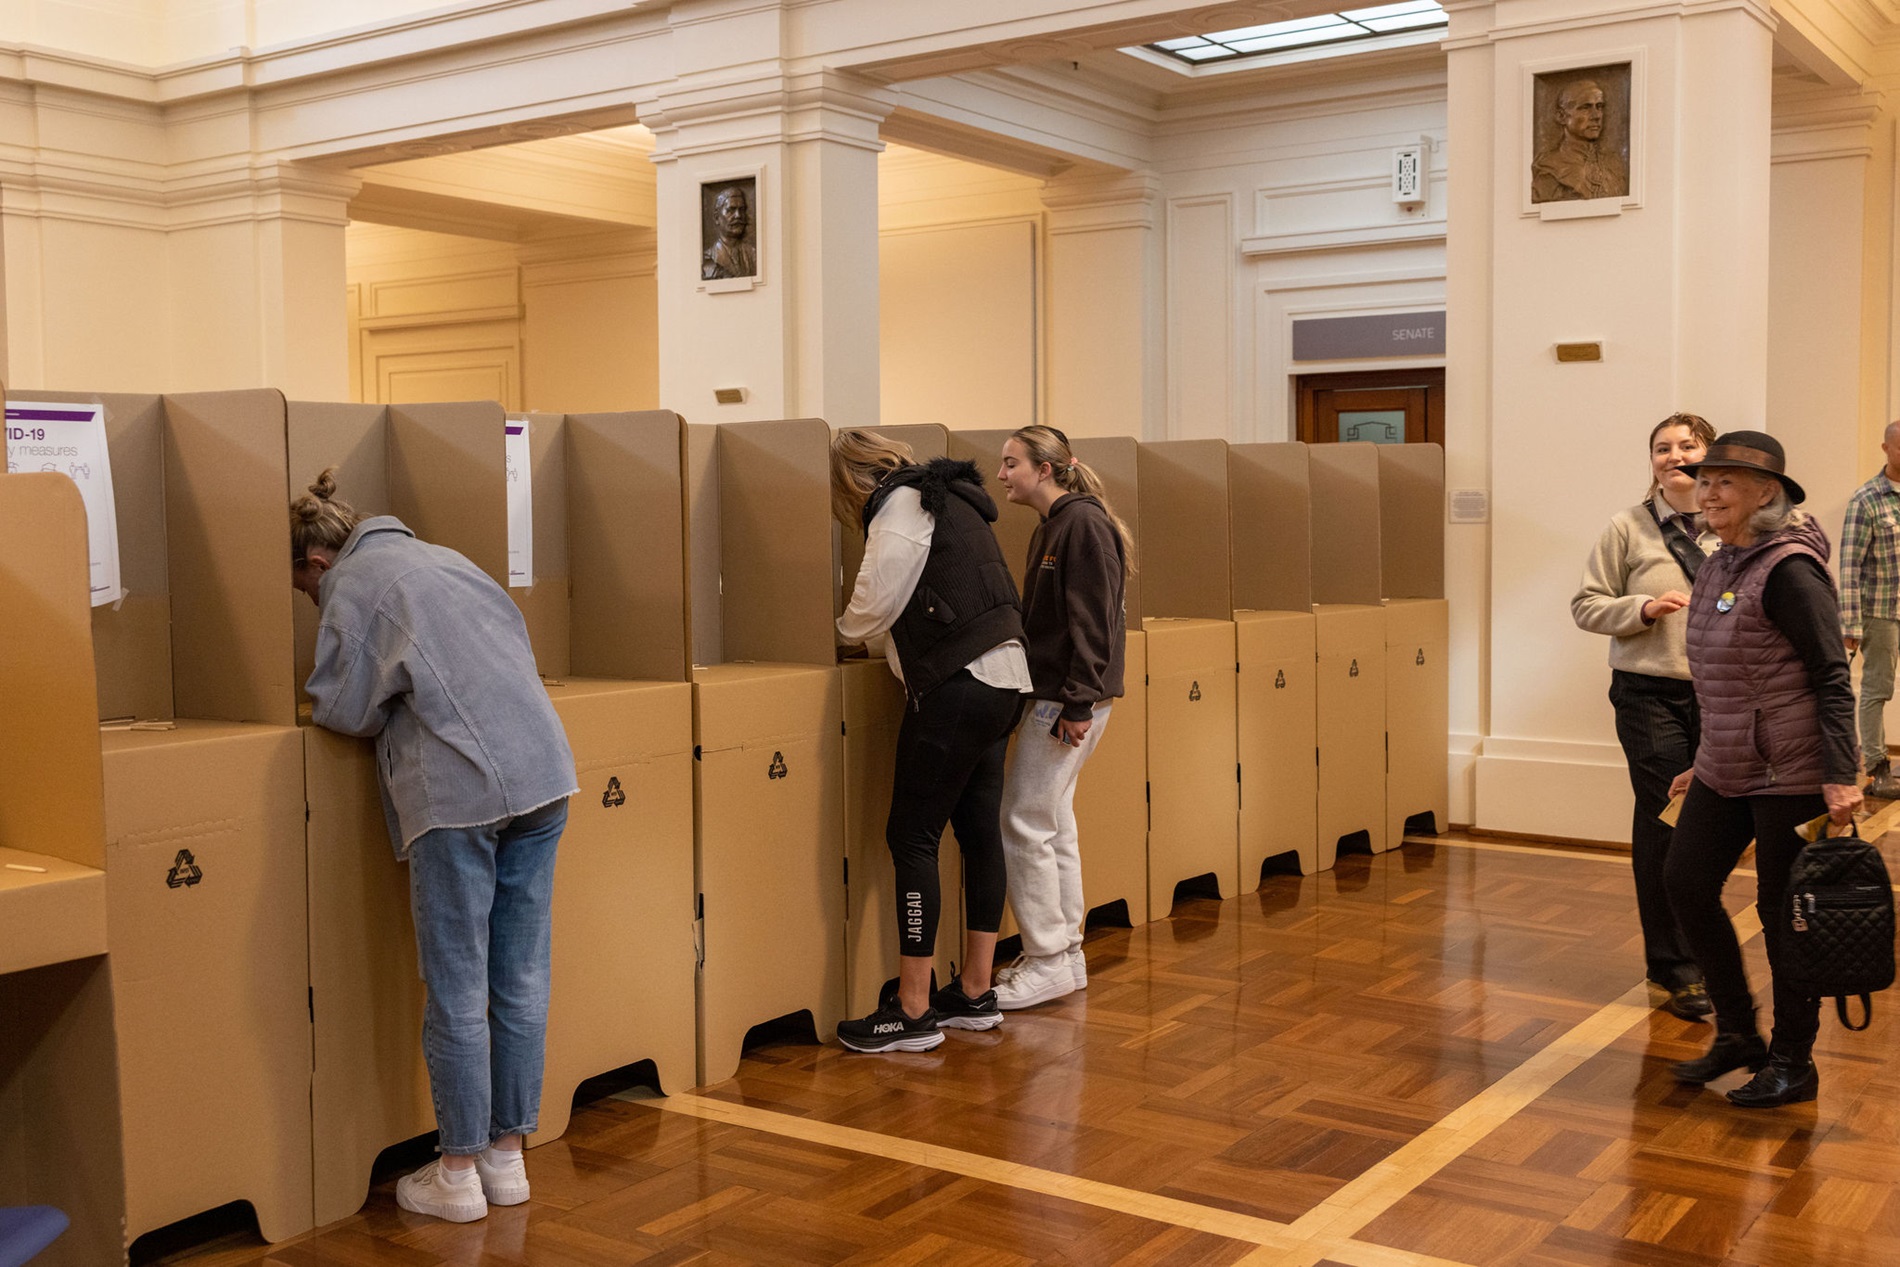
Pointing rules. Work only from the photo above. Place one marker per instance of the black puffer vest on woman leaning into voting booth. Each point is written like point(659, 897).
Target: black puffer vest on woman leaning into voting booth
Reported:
point(966, 601)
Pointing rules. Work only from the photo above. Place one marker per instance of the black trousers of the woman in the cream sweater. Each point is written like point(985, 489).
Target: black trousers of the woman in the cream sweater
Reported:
point(1660, 725)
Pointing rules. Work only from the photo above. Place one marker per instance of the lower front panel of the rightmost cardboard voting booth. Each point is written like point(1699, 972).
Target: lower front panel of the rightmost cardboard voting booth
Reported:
point(1418, 713)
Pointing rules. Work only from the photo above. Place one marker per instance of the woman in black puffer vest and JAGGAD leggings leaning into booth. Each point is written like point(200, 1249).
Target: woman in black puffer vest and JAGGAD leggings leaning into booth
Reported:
point(934, 584)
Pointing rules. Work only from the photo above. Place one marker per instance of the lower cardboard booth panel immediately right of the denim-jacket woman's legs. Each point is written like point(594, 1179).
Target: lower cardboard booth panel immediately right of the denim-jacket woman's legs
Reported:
point(624, 894)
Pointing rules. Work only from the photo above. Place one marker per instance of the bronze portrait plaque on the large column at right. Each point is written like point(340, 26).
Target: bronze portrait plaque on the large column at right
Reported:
point(1582, 134)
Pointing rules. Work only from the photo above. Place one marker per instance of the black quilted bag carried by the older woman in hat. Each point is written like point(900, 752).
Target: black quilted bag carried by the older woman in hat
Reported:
point(1842, 924)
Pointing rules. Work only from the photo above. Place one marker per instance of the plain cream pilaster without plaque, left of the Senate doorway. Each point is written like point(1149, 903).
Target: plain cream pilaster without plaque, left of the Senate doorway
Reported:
point(1105, 307)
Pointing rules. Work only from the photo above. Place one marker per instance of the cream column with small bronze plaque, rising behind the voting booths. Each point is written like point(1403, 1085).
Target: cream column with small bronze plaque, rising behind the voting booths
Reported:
point(801, 337)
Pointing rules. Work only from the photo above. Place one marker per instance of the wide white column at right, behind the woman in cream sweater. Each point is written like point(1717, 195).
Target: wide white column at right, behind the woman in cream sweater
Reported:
point(1673, 282)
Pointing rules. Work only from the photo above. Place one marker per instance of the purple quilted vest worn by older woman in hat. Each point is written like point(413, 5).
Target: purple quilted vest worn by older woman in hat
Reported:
point(1760, 723)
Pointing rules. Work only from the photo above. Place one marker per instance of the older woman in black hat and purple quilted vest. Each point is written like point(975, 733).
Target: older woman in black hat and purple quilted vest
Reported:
point(1777, 751)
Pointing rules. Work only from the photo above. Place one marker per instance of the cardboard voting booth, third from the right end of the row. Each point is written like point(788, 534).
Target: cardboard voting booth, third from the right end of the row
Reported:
point(1276, 639)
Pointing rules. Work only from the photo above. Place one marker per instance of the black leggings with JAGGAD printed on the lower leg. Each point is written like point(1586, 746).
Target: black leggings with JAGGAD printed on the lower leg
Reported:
point(951, 770)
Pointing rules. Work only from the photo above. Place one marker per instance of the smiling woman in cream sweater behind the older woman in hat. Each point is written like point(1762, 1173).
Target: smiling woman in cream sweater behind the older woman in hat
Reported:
point(1635, 590)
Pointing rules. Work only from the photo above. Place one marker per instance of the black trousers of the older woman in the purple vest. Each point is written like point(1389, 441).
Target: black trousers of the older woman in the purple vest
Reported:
point(1711, 839)
